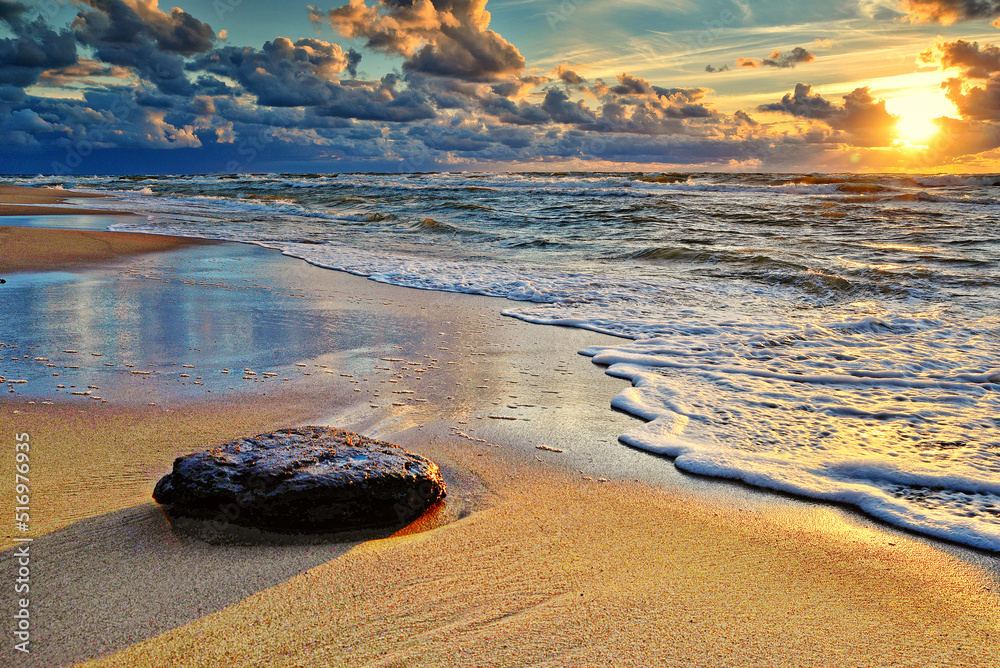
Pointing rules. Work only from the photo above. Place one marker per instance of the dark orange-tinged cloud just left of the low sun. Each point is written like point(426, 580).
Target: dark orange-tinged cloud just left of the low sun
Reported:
point(861, 115)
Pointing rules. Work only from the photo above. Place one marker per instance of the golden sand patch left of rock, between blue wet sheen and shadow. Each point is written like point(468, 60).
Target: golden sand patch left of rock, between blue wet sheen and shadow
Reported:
point(88, 460)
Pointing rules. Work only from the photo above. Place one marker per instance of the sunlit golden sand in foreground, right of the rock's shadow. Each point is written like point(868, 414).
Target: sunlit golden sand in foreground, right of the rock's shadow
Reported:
point(568, 572)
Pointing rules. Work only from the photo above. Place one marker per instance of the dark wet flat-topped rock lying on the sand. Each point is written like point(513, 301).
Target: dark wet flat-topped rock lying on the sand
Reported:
point(302, 480)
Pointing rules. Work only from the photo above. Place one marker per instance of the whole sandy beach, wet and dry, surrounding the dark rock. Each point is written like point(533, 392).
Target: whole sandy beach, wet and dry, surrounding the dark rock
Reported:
point(581, 552)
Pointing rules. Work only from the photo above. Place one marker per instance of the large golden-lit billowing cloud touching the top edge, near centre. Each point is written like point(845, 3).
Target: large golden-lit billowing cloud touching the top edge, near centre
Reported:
point(448, 38)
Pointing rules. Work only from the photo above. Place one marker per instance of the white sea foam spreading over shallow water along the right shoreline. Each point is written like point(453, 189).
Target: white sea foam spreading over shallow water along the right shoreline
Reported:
point(914, 447)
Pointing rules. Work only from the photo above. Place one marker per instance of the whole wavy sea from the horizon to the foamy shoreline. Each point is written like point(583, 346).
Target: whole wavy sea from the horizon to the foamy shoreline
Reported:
point(835, 337)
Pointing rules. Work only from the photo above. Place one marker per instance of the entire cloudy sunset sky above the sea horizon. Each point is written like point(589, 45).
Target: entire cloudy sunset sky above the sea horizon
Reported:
point(233, 86)
